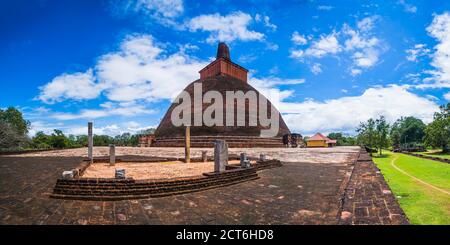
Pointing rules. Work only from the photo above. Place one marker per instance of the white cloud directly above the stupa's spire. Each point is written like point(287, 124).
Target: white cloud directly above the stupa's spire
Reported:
point(225, 28)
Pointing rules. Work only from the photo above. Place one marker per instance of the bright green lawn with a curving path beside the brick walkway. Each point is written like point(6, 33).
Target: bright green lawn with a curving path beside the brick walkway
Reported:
point(421, 203)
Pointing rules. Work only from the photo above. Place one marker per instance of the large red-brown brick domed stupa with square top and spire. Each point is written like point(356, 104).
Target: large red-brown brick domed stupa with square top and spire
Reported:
point(220, 75)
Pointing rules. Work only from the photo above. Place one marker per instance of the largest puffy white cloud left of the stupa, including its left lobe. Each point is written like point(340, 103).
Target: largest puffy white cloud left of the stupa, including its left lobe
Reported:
point(139, 70)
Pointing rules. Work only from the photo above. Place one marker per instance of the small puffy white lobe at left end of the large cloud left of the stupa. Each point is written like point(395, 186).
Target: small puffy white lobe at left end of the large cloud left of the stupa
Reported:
point(76, 86)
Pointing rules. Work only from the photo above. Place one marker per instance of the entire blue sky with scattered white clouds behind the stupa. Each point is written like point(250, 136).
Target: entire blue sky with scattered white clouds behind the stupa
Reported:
point(120, 63)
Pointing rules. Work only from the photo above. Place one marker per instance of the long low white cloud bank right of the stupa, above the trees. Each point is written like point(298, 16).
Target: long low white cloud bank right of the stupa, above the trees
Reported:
point(345, 114)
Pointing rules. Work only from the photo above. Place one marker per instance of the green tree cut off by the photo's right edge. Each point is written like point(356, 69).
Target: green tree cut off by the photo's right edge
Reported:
point(437, 133)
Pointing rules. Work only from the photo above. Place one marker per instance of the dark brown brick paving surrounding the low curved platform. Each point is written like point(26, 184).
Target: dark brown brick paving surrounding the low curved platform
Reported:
point(300, 192)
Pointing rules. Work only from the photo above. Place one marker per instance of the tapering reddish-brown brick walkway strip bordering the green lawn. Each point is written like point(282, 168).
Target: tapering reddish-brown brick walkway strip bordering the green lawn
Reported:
point(368, 199)
